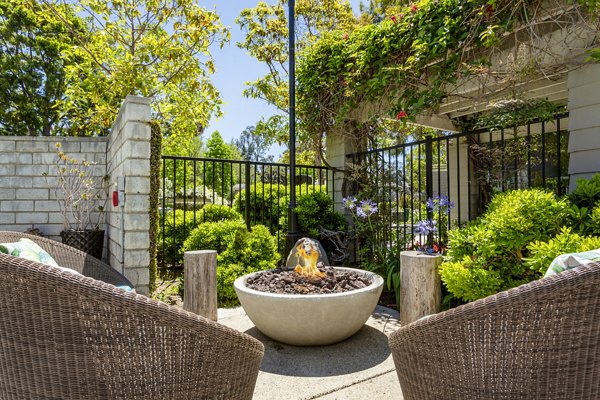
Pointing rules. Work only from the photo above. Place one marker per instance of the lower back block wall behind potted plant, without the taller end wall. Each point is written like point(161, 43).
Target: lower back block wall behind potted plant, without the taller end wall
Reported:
point(27, 199)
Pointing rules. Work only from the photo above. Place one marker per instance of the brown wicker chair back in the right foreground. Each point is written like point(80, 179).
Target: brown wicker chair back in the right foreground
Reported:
point(537, 341)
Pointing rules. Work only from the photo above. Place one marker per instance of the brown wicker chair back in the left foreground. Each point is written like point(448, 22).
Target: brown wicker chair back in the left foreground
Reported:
point(67, 336)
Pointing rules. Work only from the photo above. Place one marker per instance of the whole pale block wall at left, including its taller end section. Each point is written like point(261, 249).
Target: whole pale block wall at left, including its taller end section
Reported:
point(27, 200)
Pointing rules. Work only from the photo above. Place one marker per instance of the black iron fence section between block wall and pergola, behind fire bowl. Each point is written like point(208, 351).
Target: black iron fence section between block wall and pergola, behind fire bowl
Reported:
point(257, 190)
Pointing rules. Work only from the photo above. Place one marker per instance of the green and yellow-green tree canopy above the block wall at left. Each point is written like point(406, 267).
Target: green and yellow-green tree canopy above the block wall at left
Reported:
point(68, 65)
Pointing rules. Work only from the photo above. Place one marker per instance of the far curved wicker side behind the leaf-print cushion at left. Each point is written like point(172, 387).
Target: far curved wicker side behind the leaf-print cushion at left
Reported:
point(69, 257)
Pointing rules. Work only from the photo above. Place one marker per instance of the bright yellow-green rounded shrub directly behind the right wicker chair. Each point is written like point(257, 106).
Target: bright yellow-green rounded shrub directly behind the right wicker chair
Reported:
point(487, 255)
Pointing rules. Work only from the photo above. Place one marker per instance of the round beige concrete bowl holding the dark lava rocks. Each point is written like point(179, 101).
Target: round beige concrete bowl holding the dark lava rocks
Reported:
point(313, 319)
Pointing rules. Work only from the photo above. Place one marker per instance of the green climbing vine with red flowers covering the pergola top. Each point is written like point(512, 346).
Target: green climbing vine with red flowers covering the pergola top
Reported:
point(409, 62)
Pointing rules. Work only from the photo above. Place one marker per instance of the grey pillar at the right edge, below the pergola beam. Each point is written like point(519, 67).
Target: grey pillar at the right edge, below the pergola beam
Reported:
point(584, 123)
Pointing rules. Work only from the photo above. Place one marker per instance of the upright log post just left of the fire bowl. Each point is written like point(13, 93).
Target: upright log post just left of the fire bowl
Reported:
point(200, 283)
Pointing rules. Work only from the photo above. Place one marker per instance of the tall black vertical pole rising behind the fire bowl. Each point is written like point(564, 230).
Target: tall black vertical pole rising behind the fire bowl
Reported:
point(293, 234)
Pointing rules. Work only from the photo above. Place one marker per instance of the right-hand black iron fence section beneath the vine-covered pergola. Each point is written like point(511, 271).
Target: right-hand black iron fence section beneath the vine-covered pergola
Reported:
point(465, 169)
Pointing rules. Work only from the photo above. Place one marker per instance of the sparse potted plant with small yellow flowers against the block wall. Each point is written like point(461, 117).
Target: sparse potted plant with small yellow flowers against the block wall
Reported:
point(79, 192)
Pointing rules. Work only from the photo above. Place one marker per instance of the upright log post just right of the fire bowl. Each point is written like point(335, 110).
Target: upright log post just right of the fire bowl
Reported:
point(420, 285)
